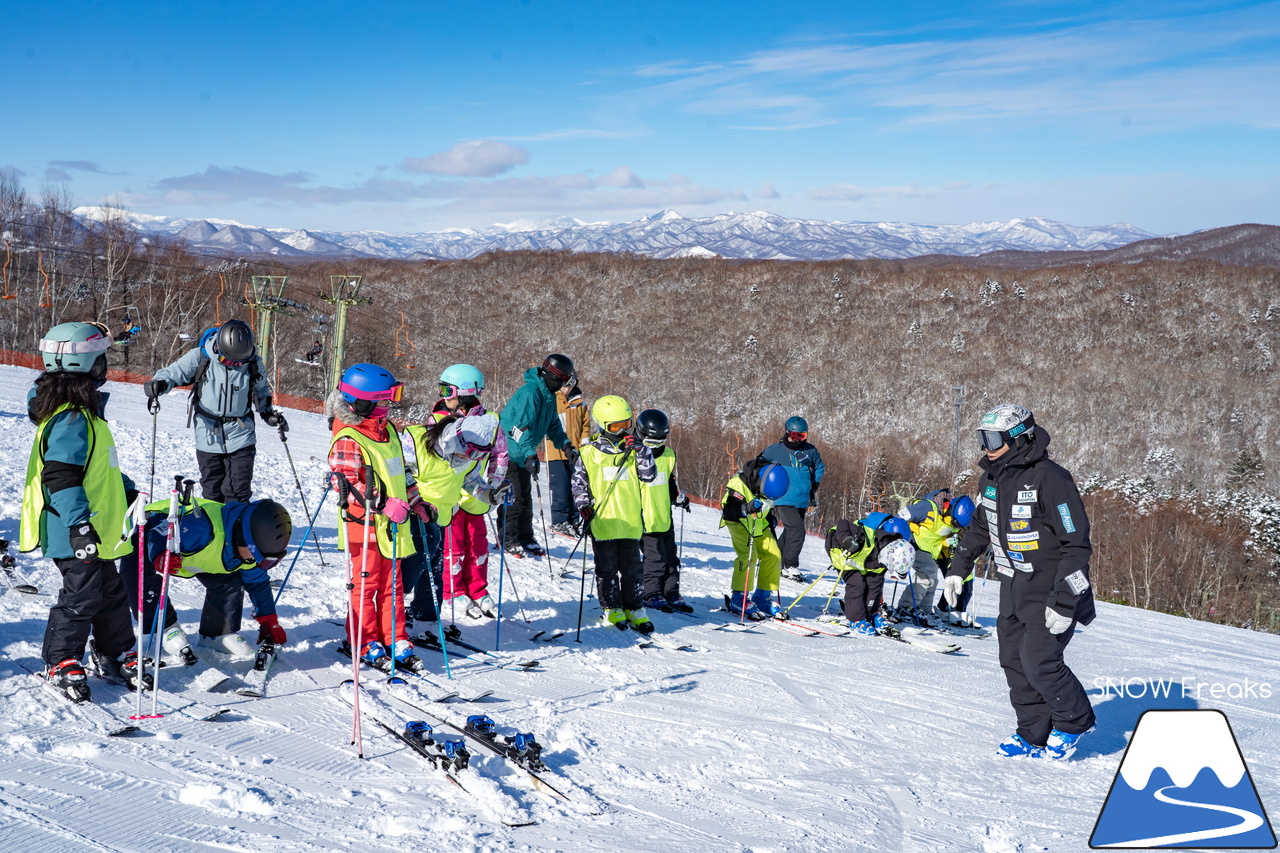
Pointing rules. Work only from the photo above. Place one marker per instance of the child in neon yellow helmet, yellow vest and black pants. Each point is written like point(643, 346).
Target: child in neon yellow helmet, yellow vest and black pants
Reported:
point(607, 489)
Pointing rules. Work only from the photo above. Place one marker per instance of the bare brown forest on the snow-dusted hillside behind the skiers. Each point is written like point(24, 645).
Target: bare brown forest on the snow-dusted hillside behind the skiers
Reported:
point(1156, 381)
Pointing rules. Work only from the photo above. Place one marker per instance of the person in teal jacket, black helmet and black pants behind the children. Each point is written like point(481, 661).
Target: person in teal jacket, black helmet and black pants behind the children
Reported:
point(528, 418)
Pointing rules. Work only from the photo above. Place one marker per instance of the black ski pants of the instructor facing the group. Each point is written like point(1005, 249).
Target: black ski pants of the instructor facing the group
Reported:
point(1043, 688)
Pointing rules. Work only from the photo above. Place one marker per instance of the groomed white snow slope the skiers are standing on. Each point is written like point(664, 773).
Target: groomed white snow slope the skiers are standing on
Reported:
point(755, 742)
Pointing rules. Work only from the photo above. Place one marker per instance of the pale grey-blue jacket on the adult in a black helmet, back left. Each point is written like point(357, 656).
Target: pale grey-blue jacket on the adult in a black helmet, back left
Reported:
point(225, 400)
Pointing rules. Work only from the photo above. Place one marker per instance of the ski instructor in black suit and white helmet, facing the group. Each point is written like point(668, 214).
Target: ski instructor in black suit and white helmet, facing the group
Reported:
point(1039, 536)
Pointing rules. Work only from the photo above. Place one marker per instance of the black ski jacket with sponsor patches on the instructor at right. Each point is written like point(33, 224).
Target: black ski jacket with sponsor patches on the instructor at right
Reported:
point(1031, 516)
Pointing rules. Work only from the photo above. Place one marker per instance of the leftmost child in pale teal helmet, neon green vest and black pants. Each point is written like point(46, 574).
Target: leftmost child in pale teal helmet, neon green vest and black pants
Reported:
point(74, 509)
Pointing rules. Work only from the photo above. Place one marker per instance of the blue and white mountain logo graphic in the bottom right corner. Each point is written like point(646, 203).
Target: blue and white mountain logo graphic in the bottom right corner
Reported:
point(1183, 783)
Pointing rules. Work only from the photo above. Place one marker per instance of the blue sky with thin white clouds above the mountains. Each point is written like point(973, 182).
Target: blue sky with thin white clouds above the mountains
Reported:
point(423, 116)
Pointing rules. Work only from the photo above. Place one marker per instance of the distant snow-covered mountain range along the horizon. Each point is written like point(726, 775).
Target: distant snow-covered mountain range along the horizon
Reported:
point(665, 235)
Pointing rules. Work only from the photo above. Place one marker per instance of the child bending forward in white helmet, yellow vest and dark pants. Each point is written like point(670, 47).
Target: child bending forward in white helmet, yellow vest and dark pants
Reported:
point(862, 554)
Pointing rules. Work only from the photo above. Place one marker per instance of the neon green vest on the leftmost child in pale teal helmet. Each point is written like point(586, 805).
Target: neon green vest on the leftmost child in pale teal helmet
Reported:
point(104, 489)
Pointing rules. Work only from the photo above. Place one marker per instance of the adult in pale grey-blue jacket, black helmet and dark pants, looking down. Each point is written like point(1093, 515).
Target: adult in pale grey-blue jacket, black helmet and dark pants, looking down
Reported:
point(226, 377)
